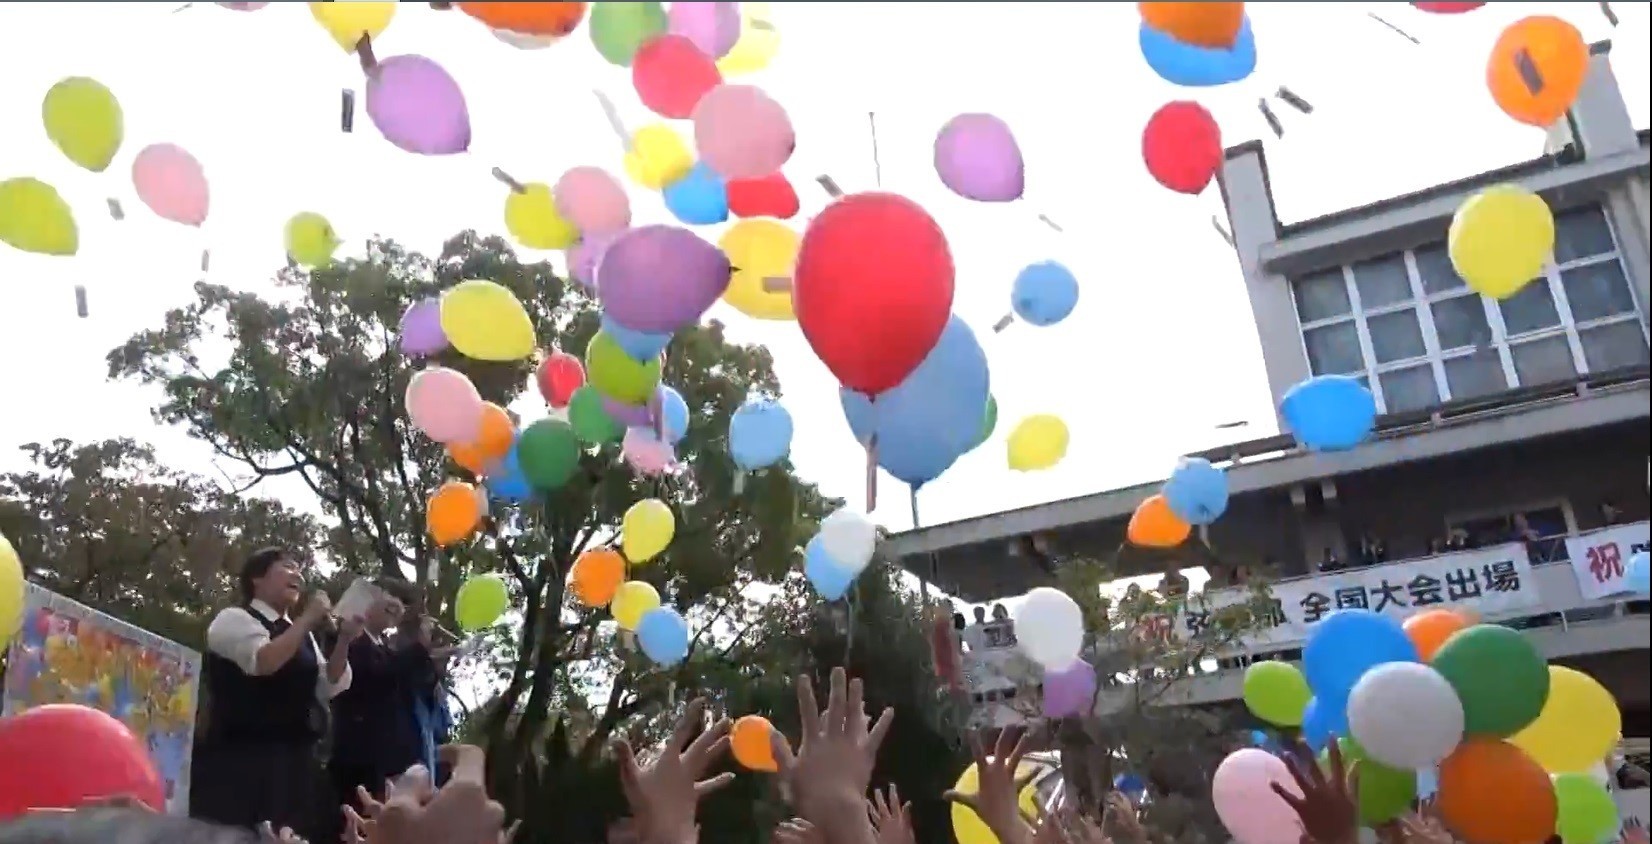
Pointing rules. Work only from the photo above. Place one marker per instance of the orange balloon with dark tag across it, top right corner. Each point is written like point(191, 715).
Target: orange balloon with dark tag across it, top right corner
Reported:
point(1537, 70)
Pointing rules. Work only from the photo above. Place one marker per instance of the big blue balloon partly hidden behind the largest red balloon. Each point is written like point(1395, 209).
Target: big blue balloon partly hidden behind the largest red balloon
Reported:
point(931, 419)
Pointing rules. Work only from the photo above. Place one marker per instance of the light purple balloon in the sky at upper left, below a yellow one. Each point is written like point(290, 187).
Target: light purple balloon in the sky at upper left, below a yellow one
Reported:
point(419, 108)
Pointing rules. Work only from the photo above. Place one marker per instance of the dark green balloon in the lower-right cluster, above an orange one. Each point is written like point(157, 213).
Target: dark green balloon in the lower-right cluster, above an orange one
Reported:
point(1501, 680)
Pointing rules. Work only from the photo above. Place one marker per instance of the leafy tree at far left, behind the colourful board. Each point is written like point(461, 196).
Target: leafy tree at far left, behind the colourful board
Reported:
point(112, 528)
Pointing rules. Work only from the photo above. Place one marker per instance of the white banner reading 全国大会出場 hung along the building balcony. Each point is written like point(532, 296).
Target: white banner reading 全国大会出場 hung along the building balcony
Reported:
point(1491, 582)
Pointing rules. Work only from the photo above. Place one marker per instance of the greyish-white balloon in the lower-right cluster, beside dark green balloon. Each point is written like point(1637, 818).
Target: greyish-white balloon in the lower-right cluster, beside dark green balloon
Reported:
point(1405, 716)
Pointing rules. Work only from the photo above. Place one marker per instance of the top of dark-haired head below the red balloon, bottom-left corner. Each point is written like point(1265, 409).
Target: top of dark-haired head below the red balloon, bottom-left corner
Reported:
point(128, 827)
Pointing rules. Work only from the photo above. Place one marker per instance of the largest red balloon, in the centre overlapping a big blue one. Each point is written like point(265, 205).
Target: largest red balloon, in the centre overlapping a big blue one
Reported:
point(873, 288)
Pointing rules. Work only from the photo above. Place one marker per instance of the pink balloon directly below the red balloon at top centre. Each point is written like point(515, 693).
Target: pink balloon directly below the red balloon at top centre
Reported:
point(743, 133)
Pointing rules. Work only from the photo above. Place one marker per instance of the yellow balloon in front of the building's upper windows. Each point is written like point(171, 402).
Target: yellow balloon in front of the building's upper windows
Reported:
point(1501, 239)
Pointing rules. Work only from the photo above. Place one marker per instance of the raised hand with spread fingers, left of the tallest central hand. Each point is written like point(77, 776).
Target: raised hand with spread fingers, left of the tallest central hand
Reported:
point(667, 794)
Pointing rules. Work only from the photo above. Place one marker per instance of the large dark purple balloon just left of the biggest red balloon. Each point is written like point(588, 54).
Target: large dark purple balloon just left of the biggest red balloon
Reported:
point(658, 280)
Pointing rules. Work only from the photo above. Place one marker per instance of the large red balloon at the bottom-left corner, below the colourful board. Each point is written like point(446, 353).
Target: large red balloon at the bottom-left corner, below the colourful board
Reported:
point(64, 756)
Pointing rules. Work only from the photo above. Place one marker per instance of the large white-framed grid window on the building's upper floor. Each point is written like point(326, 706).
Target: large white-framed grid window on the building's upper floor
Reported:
point(1410, 328)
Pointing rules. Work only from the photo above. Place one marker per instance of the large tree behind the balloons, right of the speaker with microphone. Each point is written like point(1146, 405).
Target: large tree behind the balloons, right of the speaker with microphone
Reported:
point(313, 389)
